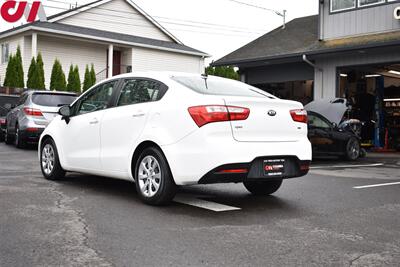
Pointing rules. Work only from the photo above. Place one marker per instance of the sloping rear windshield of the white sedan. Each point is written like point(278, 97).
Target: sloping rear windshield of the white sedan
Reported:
point(219, 86)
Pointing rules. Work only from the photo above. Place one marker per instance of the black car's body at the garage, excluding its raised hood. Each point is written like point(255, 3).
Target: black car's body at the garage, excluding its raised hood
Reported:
point(328, 139)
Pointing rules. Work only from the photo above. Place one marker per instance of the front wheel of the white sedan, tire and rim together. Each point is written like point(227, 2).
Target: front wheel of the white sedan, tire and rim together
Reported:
point(48, 154)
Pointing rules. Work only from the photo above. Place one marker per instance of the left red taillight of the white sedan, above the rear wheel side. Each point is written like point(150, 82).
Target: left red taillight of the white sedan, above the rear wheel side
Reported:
point(203, 115)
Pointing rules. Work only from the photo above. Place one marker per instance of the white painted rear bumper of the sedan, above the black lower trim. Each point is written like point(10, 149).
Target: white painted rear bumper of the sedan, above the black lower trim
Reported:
point(198, 154)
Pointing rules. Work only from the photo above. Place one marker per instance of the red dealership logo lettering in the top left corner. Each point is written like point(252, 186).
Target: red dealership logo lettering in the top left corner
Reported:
point(12, 11)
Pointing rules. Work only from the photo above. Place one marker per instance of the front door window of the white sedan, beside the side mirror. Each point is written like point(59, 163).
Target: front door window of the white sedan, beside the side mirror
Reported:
point(97, 99)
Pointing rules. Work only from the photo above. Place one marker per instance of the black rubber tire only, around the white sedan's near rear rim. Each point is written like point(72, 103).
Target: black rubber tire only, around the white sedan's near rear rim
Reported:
point(167, 189)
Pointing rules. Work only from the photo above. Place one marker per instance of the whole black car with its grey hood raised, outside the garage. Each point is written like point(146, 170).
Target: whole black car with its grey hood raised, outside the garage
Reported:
point(336, 136)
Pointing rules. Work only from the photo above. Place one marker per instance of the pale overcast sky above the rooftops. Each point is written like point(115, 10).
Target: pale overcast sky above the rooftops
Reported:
point(225, 25)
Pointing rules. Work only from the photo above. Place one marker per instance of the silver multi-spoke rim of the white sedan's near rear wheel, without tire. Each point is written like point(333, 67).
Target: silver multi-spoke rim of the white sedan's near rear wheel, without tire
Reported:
point(149, 176)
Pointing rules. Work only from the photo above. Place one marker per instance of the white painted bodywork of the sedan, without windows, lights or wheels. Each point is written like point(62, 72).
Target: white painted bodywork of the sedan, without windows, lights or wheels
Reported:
point(104, 142)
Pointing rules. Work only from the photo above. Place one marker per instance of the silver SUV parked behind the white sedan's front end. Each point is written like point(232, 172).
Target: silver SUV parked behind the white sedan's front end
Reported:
point(33, 112)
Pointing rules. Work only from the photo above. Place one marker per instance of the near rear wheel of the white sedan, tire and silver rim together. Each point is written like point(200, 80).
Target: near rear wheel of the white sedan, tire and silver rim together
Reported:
point(152, 171)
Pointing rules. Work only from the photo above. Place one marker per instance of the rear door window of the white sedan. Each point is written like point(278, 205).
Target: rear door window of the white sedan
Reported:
point(136, 91)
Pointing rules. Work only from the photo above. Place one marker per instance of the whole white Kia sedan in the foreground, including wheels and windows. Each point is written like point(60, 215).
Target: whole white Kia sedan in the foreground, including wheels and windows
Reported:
point(163, 130)
